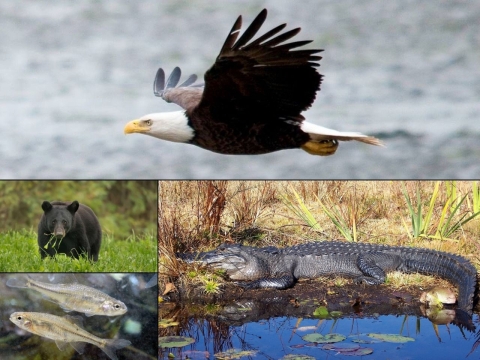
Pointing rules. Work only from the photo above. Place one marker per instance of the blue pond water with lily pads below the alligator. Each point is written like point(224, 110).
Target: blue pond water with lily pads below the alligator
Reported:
point(243, 327)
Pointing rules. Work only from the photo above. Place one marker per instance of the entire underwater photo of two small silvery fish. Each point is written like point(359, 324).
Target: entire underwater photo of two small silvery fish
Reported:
point(78, 316)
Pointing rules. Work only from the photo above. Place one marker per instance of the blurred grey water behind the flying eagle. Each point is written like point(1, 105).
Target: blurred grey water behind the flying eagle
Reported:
point(73, 73)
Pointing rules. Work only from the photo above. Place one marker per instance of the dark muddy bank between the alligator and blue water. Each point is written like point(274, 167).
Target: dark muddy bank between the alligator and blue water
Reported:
point(235, 306)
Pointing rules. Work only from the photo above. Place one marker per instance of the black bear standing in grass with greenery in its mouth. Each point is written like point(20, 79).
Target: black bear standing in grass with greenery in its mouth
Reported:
point(72, 229)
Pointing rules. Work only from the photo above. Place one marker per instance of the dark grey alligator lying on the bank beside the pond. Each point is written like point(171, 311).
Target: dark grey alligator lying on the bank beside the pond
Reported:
point(279, 268)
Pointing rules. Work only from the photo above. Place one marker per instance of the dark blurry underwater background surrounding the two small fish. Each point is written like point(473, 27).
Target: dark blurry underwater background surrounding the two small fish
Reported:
point(138, 324)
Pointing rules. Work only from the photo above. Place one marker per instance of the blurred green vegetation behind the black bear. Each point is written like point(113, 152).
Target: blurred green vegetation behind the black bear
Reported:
point(124, 208)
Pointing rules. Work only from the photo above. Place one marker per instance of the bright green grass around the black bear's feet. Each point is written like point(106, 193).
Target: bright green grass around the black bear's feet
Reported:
point(20, 254)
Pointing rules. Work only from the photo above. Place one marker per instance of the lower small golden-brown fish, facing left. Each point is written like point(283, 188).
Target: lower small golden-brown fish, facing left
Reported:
point(65, 330)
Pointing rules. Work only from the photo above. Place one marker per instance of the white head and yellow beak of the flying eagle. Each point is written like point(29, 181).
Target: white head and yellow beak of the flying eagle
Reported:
point(171, 126)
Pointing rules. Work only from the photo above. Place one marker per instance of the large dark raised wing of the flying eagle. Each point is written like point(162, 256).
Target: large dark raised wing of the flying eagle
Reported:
point(266, 76)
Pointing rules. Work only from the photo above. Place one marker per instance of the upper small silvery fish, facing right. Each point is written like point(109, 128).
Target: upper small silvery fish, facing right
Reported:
point(73, 297)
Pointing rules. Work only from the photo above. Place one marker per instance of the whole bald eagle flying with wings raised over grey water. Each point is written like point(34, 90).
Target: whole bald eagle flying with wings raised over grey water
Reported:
point(252, 99)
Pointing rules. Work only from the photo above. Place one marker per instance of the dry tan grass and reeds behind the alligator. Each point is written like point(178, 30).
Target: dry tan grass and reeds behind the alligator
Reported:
point(199, 215)
